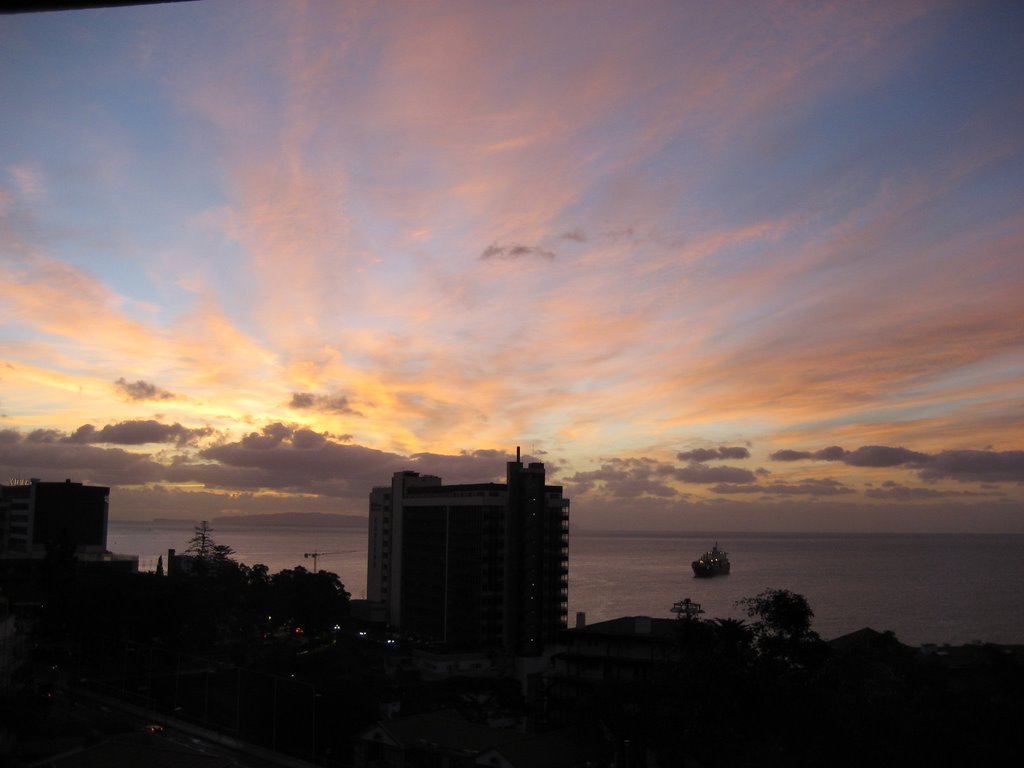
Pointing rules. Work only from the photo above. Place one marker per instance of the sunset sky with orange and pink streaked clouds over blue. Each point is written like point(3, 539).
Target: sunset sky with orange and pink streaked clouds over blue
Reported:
point(721, 267)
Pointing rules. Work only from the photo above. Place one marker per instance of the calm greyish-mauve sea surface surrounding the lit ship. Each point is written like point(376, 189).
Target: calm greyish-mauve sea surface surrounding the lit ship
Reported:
point(926, 588)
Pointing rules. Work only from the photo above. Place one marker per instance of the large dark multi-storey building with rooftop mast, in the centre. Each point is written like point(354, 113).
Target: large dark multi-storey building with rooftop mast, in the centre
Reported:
point(472, 566)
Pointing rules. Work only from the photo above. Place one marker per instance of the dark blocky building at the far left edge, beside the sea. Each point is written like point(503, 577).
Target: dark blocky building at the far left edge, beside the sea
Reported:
point(36, 514)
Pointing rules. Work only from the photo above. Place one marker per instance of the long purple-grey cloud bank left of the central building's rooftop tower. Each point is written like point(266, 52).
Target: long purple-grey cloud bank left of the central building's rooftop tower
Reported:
point(279, 458)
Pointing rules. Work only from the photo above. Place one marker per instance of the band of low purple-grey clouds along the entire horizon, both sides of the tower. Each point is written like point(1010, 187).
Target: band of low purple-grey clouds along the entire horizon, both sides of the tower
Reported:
point(329, 474)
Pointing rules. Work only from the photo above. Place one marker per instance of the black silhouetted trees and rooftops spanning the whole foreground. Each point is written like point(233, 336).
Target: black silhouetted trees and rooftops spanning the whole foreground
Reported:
point(277, 661)
